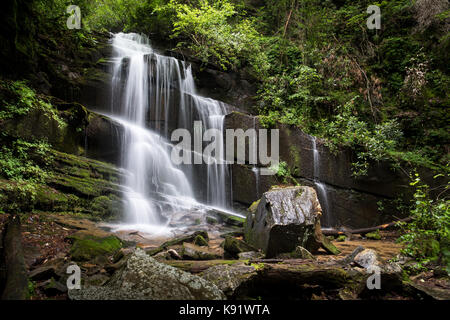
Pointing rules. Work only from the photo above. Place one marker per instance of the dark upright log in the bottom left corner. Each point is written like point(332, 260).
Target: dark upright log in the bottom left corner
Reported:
point(16, 282)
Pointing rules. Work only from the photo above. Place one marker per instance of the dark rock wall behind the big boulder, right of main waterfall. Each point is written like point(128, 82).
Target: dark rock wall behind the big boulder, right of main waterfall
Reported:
point(349, 201)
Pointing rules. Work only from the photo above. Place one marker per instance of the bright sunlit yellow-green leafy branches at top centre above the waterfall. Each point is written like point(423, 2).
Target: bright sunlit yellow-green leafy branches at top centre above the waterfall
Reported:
point(214, 31)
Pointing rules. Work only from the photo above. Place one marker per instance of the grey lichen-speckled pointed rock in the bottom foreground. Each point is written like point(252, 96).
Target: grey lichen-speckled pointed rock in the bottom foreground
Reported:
point(143, 278)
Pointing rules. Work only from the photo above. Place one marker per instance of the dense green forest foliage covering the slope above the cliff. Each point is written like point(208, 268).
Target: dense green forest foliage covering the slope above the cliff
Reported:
point(308, 57)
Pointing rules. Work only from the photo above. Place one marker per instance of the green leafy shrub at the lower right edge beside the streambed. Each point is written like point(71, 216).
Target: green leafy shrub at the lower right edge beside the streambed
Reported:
point(427, 237)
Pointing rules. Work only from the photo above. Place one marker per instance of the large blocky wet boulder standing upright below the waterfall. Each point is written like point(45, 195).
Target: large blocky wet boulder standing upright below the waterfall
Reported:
point(285, 218)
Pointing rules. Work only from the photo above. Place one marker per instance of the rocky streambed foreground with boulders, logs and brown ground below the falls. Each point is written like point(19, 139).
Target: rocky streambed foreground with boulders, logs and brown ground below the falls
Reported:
point(221, 263)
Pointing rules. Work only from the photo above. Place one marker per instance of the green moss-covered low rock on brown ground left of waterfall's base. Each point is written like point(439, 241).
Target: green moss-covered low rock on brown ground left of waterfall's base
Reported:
point(88, 247)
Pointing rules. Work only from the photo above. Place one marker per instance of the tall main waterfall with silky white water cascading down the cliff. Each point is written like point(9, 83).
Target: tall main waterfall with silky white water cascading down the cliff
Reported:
point(153, 94)
